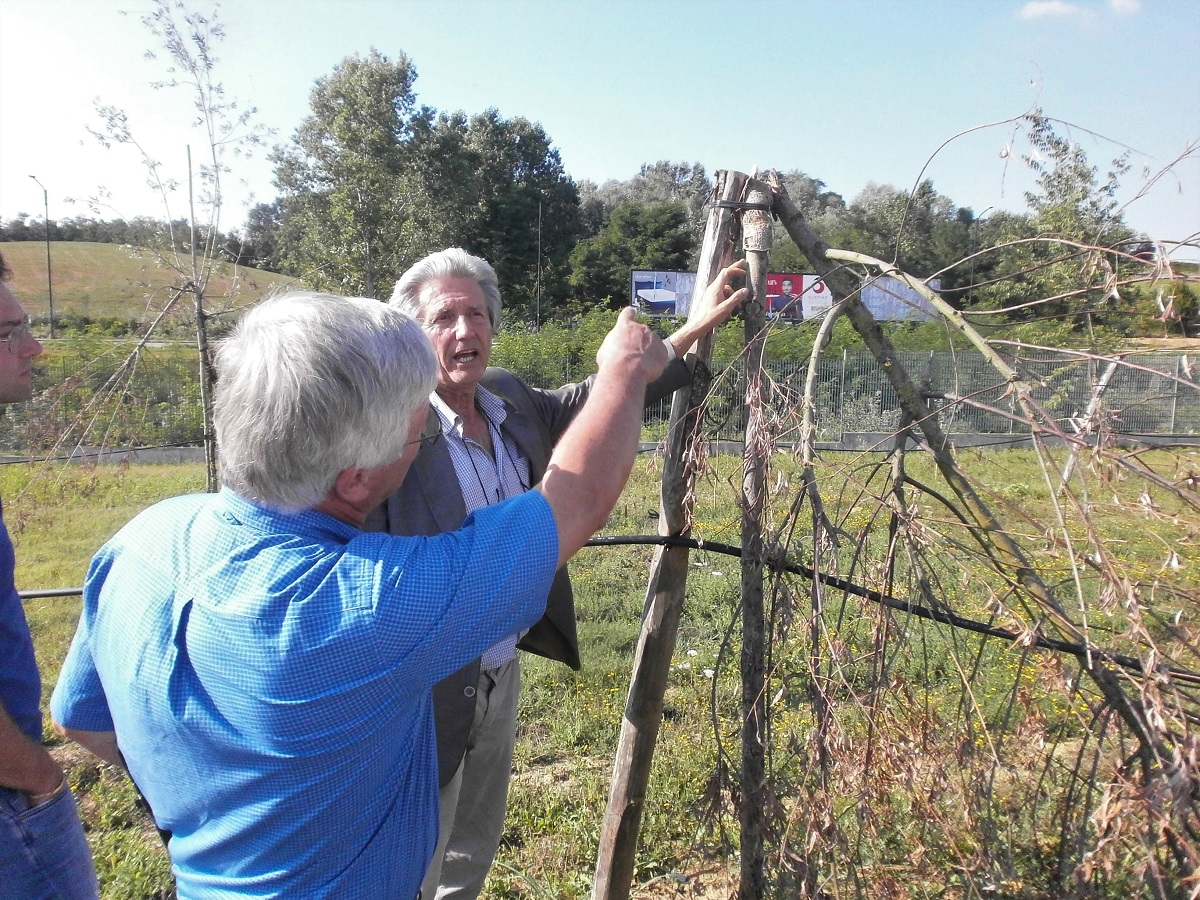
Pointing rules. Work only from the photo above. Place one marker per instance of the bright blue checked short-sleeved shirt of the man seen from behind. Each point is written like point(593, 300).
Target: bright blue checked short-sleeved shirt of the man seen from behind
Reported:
point(269, 681)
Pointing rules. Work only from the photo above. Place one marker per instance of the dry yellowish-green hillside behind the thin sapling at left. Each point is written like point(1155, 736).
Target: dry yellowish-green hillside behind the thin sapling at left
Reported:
point(110, 280)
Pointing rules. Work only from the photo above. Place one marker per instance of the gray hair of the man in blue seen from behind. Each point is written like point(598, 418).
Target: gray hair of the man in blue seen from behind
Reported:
point(310, 385)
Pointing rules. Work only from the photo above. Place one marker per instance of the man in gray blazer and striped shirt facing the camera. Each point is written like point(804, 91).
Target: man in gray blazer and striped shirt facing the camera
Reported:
point(490, 439)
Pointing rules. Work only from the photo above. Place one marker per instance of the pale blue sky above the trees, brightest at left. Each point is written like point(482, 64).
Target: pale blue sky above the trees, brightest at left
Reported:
point(850, 93)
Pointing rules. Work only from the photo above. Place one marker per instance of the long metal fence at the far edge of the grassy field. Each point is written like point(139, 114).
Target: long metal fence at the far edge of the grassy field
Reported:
point(158, 401)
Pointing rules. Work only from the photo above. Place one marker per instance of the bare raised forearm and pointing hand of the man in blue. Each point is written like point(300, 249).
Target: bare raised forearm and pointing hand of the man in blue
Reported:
point(592, 461)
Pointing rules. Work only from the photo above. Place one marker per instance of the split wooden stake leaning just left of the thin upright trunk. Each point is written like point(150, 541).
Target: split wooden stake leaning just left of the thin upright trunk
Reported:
point(664, 598)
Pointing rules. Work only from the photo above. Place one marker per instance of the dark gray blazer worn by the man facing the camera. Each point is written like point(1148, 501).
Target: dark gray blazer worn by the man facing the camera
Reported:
point(430, 502)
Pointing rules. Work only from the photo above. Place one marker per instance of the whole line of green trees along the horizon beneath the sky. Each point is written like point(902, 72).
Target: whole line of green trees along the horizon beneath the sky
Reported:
point(373, 181)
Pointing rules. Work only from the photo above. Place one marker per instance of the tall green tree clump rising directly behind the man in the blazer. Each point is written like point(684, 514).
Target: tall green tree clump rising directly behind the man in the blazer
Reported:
point(371, 184)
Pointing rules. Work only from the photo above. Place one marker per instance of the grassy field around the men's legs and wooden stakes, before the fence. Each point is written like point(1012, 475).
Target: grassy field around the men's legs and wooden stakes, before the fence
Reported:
point(928, 731)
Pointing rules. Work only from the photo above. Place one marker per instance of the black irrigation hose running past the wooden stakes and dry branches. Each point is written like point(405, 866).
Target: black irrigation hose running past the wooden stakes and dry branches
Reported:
point(925, 613)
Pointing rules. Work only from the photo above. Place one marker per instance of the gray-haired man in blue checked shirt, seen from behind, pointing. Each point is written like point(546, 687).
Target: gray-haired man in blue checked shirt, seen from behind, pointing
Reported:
point(261, 665)
